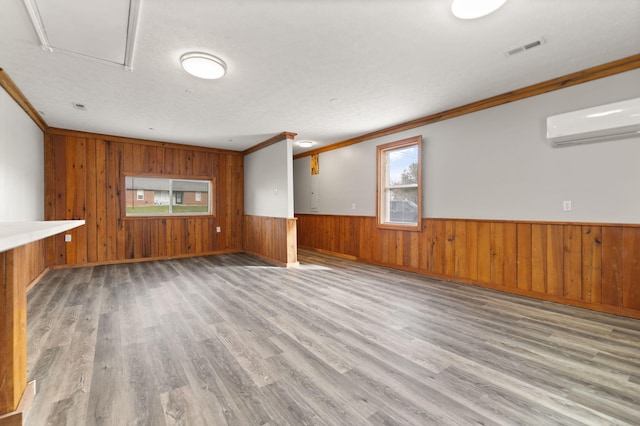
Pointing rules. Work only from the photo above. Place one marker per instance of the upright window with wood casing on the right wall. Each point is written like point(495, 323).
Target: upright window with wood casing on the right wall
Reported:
point(400, 184)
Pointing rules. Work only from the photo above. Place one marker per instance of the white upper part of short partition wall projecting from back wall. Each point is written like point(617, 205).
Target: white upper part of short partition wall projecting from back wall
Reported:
point(268, 181)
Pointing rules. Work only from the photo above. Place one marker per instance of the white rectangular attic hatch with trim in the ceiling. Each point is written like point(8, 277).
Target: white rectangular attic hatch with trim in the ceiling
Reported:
point(103, 30)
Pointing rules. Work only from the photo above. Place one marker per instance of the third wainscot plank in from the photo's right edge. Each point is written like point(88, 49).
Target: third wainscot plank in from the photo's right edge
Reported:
point(592, 263)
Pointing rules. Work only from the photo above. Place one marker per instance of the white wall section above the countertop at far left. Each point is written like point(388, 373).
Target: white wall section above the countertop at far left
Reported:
point(21, 164)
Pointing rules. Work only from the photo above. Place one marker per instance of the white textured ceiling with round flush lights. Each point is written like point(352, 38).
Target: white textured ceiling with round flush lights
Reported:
point(328, 70)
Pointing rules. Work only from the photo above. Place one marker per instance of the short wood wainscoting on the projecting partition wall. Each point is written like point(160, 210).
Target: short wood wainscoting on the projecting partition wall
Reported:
point(271, 238)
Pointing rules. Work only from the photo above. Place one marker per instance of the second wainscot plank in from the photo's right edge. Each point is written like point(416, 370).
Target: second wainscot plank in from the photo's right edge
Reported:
point(612, 263)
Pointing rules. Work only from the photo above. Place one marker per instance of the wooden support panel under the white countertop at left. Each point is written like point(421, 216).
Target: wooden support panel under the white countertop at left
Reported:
point(19, 268)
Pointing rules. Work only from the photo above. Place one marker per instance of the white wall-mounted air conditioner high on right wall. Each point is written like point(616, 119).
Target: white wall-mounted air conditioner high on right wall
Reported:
point(606, 122)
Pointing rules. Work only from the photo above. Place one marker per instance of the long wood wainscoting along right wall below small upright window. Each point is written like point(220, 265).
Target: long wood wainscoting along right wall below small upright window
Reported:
point(595, 266)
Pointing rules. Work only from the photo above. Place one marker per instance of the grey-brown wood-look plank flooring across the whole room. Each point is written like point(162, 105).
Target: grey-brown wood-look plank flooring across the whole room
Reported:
point(231, 340)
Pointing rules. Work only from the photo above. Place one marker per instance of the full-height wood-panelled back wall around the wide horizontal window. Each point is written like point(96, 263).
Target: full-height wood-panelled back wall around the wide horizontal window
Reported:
point(84, 178)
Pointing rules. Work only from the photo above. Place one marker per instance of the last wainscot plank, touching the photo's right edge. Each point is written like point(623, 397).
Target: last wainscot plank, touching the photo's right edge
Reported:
point(631, 268)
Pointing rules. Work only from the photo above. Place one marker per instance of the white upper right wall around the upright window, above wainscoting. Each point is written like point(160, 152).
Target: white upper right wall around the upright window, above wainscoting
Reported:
point(497, 164)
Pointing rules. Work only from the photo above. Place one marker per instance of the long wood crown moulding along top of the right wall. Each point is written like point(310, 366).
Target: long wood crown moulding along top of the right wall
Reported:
point(605, 70)
